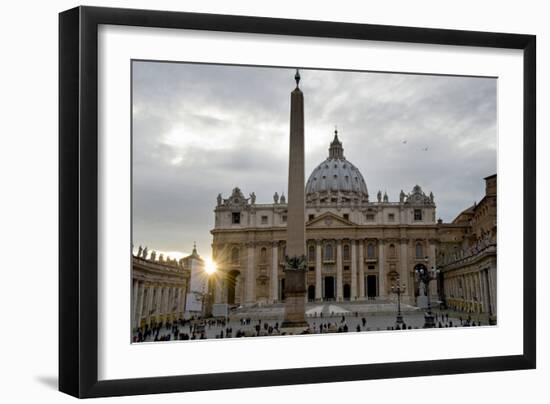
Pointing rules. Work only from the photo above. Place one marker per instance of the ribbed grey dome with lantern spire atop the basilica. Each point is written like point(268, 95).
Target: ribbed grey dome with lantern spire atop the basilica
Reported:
point(336, 175)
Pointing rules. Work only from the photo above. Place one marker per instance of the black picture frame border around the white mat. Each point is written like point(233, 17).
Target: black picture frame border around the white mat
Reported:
point(78, 200)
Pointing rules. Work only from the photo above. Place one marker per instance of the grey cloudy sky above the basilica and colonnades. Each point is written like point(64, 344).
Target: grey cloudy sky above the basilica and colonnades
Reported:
point(200, 130)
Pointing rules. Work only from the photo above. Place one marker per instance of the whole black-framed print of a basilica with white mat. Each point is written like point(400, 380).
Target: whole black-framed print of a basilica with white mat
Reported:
point(251, 201)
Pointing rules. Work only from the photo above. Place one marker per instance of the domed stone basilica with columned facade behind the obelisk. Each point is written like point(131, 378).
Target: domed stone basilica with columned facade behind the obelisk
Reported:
point(357, 248)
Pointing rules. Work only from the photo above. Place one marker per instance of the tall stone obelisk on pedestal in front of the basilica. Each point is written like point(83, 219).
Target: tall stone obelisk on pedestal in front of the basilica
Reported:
point(295, 260)
